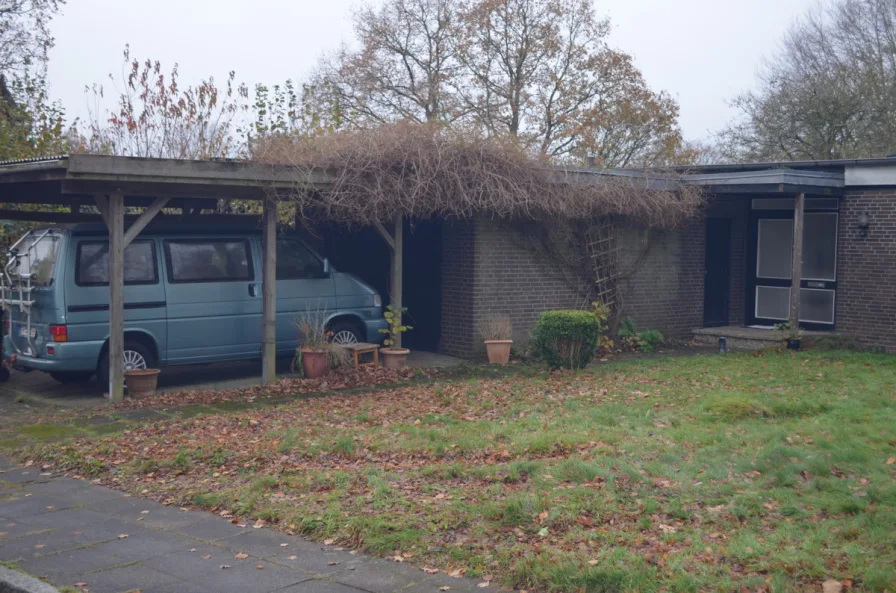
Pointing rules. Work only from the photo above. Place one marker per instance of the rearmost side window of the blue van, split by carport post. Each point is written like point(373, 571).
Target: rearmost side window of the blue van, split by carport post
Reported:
point(139, 264)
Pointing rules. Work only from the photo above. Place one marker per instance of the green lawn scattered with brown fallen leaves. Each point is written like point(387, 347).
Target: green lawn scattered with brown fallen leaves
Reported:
point(770, 472)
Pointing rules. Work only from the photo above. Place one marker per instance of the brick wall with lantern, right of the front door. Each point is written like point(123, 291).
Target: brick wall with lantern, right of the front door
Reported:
point(866, 269)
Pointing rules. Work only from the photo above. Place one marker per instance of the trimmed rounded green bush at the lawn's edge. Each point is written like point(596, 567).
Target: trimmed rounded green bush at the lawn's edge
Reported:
point(566, 339)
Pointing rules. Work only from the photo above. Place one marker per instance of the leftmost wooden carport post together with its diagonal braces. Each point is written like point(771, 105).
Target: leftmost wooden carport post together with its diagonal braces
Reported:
point(112, 210)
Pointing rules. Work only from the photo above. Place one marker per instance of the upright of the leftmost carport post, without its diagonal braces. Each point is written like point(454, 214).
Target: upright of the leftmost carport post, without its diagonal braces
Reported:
point(116, 296)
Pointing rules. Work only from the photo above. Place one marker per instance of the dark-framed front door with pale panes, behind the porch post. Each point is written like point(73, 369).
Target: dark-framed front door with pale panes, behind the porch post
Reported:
point(768, 297)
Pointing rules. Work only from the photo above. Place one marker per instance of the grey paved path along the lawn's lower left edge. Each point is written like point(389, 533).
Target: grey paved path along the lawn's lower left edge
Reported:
point(73, 533)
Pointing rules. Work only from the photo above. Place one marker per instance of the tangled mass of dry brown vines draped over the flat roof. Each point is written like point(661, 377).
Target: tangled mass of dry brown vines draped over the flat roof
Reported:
point(423, 171)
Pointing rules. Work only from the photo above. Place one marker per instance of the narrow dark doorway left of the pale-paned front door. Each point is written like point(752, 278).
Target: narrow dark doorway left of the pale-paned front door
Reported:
point(717, 279)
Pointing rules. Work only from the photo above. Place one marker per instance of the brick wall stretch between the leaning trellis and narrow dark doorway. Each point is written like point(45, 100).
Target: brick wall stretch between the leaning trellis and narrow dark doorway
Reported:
point(662, 277)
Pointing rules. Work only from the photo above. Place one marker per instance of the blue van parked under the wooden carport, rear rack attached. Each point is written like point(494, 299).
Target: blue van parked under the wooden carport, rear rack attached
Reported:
point(191, 295)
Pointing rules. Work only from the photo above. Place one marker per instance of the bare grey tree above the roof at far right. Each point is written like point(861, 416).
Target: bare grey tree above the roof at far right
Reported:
point(830, 92)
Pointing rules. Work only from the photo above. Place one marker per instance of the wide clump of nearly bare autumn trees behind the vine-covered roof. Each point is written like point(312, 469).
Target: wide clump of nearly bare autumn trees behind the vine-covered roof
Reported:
point(539, 71)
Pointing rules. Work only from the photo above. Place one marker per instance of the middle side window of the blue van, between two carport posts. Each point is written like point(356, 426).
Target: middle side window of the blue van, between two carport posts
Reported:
point(213, 260)
